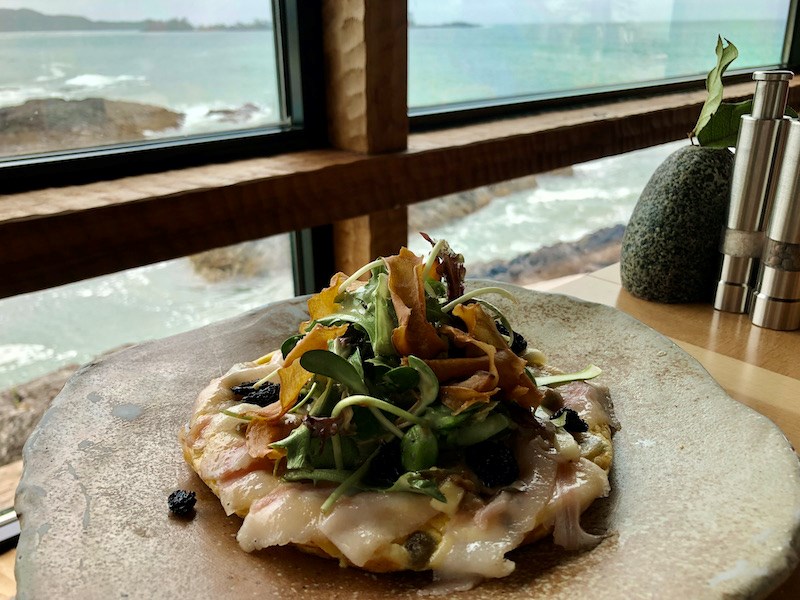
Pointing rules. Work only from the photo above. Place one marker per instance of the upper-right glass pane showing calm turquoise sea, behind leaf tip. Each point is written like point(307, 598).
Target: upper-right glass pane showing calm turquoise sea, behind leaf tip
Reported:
point(474, 50)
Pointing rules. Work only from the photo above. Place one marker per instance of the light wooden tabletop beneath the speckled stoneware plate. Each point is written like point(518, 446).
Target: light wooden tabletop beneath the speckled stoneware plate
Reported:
point(758, 367)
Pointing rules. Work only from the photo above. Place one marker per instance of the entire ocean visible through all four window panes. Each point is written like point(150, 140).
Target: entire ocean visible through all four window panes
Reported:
point(224, 71)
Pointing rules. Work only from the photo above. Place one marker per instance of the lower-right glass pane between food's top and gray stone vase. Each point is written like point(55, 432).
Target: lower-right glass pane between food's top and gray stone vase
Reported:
point(541, 227)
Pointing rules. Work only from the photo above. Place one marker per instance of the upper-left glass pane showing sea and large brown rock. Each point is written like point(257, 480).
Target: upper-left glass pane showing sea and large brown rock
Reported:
point(110, 72)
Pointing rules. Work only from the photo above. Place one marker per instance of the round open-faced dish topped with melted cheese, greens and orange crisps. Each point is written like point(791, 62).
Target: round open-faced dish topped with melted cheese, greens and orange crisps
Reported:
point(407, 426)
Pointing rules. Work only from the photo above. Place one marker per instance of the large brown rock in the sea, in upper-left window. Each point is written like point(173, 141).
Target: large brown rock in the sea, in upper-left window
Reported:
point(43, 125)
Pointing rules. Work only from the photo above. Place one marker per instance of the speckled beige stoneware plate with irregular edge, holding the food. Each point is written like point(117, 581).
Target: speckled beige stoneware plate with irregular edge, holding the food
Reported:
point(705, 500)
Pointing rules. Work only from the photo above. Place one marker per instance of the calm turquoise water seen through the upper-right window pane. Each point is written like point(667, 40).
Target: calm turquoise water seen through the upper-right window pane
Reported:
point(463, 64)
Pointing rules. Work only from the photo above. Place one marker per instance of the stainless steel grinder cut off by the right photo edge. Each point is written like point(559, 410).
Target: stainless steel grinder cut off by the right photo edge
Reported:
point(776, 301)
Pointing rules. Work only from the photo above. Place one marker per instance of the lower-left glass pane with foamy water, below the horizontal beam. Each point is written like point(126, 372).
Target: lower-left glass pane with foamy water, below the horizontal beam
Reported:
point(72, 324)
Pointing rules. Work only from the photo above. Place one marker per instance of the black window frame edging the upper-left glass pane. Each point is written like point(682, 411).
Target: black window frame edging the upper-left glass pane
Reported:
point(297, 35)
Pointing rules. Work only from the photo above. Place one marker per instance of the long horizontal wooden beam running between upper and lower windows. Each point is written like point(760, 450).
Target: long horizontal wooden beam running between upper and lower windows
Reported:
point(53, 236)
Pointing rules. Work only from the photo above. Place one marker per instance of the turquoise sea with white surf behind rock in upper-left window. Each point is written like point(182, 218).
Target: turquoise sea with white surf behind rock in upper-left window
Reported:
point(192, 73)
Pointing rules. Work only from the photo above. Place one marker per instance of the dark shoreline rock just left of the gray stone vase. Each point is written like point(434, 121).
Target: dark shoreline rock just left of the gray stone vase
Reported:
point(591, 252)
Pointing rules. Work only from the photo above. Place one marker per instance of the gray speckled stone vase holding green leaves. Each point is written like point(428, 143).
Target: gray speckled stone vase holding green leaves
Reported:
point(670, 249)
